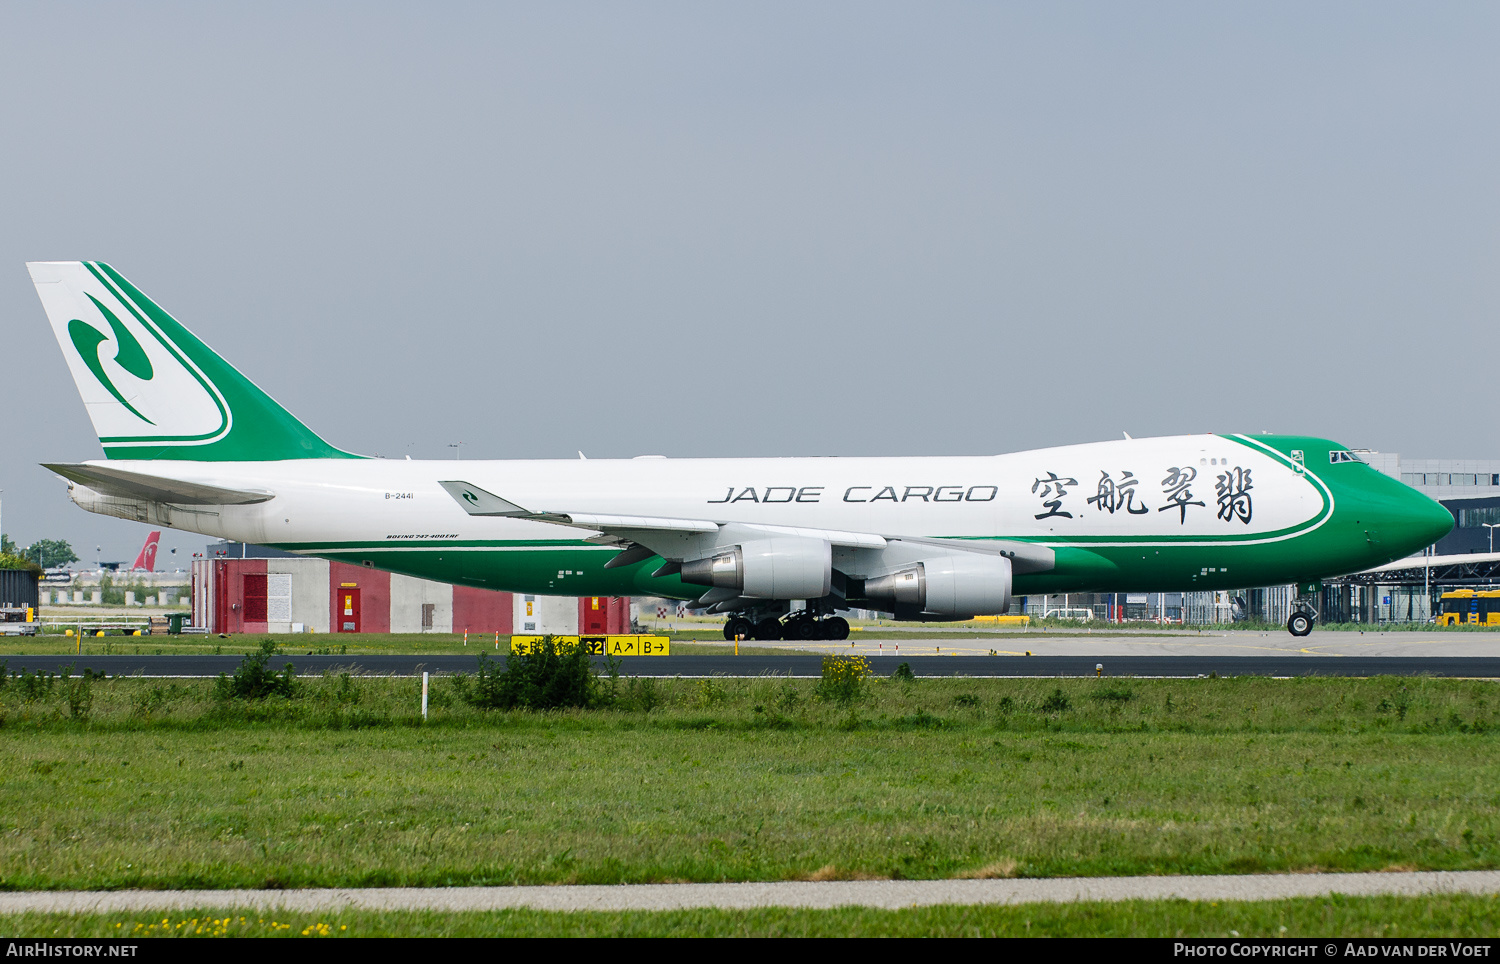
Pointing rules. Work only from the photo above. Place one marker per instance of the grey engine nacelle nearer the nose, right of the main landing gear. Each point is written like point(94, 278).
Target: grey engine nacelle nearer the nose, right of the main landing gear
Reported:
point(959, 585)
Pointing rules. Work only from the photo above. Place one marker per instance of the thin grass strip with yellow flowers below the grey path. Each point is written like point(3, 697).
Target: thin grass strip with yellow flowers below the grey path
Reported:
point(1378, 917)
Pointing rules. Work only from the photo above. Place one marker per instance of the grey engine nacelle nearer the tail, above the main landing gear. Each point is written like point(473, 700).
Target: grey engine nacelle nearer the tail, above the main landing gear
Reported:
point(772, 569)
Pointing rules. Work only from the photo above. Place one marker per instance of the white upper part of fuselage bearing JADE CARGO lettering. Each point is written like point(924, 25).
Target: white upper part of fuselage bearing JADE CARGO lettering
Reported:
point(1133, 489)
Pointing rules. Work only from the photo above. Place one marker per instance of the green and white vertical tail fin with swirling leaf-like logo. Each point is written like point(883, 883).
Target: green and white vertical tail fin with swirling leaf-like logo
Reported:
point(154, 391)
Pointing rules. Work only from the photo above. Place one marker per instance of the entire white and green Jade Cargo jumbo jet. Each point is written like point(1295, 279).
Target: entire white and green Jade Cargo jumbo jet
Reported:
point(193, 445)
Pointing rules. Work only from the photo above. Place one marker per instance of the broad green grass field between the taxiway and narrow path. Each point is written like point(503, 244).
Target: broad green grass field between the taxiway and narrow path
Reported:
point(157, 785)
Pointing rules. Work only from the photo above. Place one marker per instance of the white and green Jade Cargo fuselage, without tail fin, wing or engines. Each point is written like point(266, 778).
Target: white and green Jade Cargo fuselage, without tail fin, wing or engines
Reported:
point(1201, 512)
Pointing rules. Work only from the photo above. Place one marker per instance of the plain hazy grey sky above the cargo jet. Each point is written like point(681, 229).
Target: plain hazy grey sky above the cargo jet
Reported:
point(757, 230)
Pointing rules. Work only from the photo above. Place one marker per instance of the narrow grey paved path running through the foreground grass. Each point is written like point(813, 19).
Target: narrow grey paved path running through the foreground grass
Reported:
point(886, 894)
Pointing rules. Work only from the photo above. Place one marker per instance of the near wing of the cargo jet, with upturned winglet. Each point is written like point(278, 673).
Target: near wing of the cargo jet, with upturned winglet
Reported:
point(662, 536)
